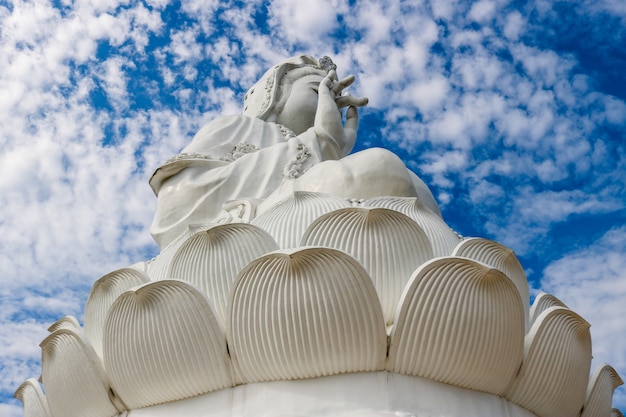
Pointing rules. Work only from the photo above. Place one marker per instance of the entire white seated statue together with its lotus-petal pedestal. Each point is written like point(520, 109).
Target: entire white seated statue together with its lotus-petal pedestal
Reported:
point(297, 280)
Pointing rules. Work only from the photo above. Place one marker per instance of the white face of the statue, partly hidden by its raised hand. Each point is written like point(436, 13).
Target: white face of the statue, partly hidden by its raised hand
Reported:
point(298, 112)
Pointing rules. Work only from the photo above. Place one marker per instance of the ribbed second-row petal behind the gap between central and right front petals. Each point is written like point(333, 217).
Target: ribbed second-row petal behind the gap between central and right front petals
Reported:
point(389, 244)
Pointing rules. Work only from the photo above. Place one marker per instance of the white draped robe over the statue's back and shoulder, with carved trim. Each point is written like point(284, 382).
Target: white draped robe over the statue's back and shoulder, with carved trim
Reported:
point(233, 157)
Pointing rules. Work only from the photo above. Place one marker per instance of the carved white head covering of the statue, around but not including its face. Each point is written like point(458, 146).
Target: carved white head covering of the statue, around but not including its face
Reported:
point(268, 96)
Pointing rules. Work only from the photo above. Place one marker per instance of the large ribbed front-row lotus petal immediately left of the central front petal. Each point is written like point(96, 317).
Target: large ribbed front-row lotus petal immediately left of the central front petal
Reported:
point(162, 343)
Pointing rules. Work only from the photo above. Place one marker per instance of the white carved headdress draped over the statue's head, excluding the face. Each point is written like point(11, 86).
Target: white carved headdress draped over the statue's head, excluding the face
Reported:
point(261, 98)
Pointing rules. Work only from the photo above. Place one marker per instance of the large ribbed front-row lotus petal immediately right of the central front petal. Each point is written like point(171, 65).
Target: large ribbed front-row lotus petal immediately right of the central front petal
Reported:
point(461, 323)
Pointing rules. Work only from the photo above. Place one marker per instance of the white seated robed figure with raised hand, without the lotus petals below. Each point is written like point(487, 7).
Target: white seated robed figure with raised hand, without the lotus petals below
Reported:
point(291, 121)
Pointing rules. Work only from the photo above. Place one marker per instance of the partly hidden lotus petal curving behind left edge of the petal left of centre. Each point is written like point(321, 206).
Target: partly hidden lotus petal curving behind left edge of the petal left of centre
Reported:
point(102, 295)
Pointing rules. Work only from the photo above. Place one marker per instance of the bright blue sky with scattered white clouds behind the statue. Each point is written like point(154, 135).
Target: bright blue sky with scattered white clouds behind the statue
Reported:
point(513, 112)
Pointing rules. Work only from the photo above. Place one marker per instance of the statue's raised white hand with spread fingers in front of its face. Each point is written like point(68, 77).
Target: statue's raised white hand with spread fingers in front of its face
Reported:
point(328, 119)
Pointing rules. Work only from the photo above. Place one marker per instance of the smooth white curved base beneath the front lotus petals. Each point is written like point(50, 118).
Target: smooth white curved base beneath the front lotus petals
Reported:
point(372, 394)
